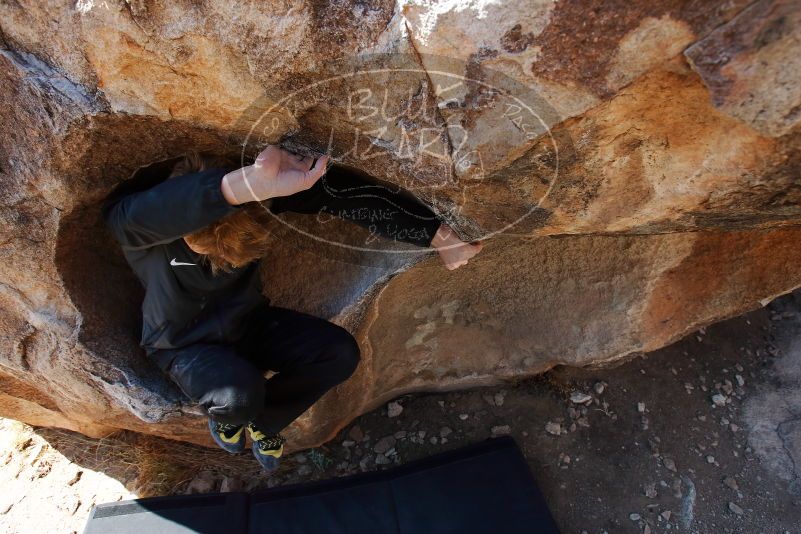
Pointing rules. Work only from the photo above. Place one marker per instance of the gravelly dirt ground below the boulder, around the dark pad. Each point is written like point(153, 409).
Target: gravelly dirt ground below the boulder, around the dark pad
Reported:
point(702, 436)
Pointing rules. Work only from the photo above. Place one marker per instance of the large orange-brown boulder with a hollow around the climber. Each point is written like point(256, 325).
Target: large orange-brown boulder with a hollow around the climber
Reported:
point(633, 170)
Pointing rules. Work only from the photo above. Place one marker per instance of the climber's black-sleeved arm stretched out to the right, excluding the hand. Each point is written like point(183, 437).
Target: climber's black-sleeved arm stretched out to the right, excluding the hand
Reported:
point(383, 210)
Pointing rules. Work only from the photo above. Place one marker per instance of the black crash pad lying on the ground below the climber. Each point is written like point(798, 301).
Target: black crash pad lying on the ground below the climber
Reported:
point(482, 488)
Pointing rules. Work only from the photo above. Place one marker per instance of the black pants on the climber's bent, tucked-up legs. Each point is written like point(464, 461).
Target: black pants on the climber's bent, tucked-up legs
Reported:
point(309, 354)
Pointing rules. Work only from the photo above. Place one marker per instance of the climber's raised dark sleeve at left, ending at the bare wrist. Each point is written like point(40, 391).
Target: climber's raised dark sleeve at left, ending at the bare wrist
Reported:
point(169, 210)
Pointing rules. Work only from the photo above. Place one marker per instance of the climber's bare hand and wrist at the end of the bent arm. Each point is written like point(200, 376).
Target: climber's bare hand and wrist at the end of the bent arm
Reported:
point(275, 173)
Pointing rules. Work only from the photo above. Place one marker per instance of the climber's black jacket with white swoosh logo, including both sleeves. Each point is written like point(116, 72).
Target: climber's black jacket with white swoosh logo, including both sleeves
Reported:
point(184, 303)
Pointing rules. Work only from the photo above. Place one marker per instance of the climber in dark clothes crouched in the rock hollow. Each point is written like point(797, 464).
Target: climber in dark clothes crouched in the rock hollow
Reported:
point(192, 239)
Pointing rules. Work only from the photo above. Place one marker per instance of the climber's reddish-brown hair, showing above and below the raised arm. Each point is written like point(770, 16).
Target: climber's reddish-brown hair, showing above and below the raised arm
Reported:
point(234, 240)
